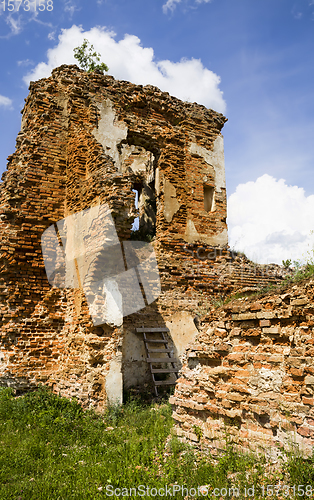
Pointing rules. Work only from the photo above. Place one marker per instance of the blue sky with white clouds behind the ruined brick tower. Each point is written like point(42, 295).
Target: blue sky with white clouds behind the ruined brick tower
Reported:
point(250, 59)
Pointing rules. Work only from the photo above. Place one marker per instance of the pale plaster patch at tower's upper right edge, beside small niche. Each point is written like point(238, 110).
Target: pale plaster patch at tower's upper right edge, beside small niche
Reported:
point(215, 158)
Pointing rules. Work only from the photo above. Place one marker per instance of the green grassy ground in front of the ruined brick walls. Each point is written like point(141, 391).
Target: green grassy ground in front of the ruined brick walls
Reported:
point(51, 449)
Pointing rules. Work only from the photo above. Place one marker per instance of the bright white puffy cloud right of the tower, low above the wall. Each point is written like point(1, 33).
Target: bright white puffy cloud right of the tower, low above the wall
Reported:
point(271, 221)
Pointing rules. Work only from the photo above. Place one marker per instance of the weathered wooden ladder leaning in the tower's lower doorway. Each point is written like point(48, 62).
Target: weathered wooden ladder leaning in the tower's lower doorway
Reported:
point(151, 360)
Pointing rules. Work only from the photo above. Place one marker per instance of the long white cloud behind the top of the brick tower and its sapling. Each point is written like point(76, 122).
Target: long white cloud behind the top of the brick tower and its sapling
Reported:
point(129, 60)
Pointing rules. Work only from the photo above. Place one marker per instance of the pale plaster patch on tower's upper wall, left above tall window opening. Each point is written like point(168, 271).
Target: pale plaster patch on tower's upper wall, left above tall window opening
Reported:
point(110, 132)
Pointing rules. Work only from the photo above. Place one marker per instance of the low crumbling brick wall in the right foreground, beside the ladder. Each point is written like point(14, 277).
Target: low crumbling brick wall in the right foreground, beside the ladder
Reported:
point(250, 374)
